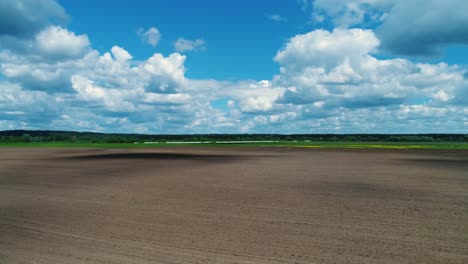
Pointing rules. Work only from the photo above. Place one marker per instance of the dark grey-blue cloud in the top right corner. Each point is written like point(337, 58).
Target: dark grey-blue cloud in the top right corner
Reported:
point(417, 27)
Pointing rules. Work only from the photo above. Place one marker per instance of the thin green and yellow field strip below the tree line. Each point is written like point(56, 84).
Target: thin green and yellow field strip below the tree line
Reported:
point(318, 144)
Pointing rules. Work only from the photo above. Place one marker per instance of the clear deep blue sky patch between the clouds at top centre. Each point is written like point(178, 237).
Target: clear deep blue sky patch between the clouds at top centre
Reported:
point(235, 31)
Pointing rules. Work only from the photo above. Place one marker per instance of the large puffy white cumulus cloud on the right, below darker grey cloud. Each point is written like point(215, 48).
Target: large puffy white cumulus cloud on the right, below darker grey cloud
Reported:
point(338, 69)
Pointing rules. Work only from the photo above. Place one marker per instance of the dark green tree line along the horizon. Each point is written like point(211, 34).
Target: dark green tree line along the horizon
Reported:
point(92, 137)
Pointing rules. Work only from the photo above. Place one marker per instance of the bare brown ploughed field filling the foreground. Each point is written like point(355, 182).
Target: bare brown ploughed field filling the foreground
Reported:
point(233, 205)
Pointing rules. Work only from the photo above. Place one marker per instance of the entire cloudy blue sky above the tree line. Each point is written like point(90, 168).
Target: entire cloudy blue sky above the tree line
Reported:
point(285, 66)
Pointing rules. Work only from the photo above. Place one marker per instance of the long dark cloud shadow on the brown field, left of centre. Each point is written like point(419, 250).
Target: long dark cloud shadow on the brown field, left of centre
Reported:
point(157, 156)
